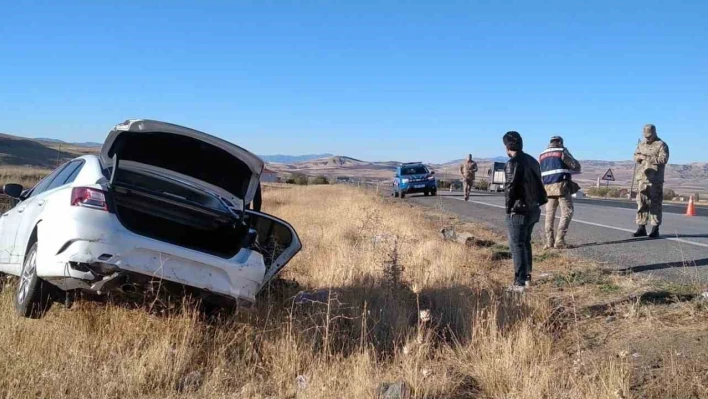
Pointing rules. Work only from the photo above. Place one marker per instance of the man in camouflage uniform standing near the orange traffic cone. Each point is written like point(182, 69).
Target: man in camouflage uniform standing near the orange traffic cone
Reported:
point(652, 155)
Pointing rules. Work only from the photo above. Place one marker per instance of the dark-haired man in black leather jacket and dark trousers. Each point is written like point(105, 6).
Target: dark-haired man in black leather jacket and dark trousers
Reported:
point(525, 195)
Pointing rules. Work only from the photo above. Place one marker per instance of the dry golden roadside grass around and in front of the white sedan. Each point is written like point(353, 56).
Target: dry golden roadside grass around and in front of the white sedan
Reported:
point(379, 263)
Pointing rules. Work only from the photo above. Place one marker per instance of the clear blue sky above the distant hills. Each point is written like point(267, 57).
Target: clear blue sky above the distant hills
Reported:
point(383, 80)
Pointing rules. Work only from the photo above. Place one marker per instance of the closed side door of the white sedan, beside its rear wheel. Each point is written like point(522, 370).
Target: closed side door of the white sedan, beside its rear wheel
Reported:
point(28, 213)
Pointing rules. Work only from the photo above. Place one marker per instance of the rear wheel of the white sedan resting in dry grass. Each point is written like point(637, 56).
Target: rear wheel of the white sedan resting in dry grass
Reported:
point(33, 294)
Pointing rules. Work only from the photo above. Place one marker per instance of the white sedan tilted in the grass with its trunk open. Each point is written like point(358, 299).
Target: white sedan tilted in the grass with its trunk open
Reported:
point(161, 205)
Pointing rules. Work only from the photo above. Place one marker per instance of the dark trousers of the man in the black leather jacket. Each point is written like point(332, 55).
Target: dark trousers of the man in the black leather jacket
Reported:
point(520, 230)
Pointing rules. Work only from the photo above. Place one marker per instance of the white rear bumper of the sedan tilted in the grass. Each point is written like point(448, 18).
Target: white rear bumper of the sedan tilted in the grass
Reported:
point(107, 245)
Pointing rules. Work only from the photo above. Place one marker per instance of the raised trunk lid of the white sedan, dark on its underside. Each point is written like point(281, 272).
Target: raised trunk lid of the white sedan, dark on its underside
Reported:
point(213, 163)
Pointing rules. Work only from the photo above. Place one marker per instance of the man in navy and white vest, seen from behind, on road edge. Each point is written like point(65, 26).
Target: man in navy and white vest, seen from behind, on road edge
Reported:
point(557, 165)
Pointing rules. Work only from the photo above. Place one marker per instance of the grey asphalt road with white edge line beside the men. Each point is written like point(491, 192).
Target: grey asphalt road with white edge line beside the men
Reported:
point(602, 231)
